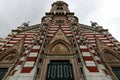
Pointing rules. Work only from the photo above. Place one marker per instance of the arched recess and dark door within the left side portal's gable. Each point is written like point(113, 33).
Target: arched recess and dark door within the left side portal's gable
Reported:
point(7, 62)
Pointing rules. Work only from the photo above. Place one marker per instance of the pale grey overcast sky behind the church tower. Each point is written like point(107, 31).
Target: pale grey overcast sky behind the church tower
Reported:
point(105, 12)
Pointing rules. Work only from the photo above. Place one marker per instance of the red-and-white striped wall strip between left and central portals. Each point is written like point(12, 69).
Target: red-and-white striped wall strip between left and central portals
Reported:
point(26, 65)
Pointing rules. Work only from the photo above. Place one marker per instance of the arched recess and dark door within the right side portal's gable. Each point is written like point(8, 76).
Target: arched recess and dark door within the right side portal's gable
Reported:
point(113, 62)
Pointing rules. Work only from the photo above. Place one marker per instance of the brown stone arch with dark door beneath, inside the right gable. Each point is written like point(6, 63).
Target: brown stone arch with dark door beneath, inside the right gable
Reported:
point(112, 63)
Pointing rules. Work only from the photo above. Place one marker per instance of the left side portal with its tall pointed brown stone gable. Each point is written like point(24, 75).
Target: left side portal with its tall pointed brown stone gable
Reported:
point(9, 58)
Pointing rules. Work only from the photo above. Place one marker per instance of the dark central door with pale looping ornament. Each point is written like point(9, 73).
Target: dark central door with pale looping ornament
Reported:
point(59, 70)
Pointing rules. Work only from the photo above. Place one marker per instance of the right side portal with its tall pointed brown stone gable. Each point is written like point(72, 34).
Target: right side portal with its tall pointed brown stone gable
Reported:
point(110, 58)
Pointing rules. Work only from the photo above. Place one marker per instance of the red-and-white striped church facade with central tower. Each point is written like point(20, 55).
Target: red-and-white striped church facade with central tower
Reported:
point(60, 48)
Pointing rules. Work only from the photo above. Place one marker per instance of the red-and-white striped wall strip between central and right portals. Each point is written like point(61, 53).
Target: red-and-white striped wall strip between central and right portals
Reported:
point(93, 65)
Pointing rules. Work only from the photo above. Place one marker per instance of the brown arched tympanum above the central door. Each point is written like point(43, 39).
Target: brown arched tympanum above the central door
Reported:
point(59, 47)
